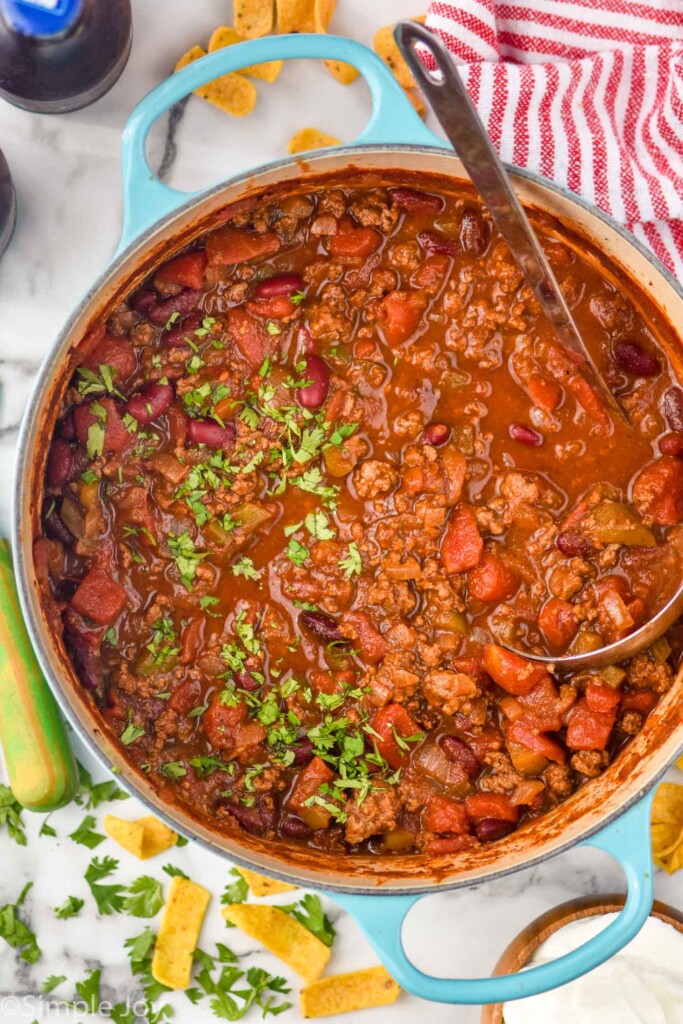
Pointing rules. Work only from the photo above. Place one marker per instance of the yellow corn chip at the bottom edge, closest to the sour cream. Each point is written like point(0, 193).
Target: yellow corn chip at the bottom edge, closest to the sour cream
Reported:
point(343, 994)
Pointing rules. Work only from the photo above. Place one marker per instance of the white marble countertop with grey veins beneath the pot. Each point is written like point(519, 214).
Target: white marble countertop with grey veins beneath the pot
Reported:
point(68, 183)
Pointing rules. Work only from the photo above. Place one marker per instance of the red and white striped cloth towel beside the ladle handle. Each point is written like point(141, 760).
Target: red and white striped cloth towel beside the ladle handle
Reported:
point(587, 93)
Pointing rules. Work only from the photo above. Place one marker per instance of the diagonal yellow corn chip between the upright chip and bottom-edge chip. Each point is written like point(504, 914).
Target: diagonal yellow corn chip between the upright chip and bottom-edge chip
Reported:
point(283, 935)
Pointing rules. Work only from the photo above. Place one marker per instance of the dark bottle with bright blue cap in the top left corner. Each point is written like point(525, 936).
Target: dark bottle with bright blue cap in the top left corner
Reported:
point(52, 72)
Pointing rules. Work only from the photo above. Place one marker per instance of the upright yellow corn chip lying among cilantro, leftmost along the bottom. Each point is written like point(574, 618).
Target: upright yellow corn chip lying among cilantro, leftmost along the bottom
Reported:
point(179, 933)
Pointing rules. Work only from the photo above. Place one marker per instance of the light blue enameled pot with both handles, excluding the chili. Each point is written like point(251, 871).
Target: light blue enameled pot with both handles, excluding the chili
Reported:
point(612, 814)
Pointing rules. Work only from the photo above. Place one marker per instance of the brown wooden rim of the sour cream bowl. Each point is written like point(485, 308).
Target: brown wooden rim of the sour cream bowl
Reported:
point(523, 948)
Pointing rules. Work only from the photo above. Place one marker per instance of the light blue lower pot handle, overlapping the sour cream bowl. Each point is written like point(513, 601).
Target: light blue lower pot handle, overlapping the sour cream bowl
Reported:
point(381, 918)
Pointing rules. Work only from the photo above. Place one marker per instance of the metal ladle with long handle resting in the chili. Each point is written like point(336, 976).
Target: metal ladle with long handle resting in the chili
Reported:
point(456, 113)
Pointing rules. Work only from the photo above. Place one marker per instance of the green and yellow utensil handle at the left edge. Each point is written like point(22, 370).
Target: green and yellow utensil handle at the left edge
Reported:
point(39, 761)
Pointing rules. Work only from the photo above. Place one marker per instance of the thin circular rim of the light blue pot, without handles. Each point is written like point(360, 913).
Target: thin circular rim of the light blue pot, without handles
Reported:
point(174, 815)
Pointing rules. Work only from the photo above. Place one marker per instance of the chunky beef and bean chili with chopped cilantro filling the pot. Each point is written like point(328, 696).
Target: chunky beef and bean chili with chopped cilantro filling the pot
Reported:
point(315, 475)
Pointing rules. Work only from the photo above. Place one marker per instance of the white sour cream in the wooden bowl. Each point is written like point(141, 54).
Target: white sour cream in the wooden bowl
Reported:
point(643, 985)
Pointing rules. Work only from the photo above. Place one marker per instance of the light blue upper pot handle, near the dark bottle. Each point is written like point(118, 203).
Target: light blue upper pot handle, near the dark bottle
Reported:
point(394, 121)
